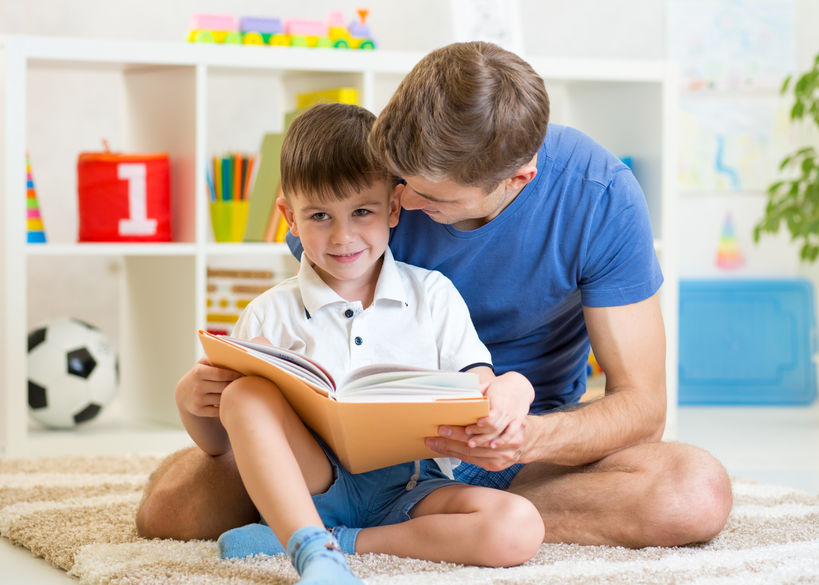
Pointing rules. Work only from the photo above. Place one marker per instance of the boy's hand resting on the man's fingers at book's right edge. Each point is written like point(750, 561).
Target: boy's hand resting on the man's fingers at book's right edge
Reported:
point(509, 398)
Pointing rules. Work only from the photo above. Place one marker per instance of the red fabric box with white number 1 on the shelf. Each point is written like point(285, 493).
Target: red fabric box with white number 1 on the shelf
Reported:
point(124, 197)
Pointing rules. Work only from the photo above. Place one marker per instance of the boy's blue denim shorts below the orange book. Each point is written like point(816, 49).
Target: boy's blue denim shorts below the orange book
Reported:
point(378, 497)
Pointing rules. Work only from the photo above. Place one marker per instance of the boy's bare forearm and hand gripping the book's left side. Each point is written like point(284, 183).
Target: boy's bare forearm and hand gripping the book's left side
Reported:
point(198, 395)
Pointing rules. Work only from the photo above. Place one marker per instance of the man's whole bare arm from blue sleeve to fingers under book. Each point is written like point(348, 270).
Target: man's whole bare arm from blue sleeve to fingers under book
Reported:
point(629, 343)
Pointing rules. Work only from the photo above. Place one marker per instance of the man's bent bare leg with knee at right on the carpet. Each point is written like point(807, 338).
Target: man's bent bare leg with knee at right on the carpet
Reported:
point(653, 494)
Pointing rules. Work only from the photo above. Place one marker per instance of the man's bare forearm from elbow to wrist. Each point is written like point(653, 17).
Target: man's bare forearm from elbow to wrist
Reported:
point(588, 432)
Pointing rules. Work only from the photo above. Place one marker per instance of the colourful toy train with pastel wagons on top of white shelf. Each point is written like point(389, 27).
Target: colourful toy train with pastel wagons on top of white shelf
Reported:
point(330, 33)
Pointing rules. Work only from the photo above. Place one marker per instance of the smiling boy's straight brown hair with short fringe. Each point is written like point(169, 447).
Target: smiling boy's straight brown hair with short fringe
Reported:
point(326, 153)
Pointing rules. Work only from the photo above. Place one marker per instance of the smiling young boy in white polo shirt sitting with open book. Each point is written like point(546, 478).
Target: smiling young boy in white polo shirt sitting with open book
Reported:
point(351, 304)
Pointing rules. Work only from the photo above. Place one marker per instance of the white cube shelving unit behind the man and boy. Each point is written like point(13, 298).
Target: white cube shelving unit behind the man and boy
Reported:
point(174, 101)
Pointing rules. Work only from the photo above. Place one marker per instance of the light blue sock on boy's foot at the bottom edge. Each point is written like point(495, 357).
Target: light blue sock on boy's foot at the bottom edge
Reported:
point(316, 556)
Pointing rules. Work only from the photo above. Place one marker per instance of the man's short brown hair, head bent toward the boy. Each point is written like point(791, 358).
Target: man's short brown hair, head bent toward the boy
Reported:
point(472, 113)
